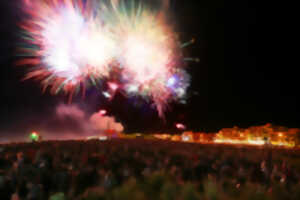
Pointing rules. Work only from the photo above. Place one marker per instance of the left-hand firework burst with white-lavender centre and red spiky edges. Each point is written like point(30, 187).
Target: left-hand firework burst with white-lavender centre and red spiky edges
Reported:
point(71, 46)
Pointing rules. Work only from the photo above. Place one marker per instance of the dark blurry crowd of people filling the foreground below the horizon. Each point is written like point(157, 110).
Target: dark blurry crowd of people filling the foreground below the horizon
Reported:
point(138, 169)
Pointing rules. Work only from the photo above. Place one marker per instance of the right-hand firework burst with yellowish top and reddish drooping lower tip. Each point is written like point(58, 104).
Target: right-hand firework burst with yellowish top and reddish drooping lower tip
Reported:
point(149, 52)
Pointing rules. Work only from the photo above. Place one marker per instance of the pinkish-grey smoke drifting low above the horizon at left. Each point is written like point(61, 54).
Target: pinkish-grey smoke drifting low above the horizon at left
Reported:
point(64, 123)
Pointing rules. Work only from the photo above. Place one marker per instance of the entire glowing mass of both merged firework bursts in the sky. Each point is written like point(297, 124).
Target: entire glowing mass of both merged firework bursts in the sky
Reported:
point(72, 43)
